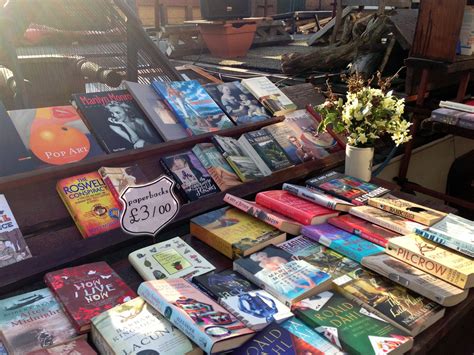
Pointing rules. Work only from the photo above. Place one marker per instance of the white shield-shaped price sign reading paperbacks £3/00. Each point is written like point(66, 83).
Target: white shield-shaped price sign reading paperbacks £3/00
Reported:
point(149, 207)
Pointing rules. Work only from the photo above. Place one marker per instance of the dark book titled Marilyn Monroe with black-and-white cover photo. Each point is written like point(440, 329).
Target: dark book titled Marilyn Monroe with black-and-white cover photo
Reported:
point(116, 120)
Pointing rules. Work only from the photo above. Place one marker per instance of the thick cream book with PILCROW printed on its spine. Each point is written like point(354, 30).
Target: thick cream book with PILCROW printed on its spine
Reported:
point(434, 259)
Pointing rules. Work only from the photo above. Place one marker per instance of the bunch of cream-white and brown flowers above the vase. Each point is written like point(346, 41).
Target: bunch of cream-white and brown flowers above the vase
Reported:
point(367, 113)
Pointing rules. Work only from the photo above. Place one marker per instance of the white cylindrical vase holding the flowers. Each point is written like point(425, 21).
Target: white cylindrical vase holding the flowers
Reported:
point(359, 162)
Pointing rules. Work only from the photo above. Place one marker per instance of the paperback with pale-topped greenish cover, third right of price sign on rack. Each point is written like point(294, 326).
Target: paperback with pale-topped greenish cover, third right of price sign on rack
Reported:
point(242, 164)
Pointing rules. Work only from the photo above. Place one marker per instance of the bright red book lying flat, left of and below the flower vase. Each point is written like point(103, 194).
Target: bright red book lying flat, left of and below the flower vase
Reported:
point(294, 207)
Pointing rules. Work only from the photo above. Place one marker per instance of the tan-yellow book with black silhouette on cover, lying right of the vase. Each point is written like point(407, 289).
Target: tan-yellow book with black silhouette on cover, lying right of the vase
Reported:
point(407, 209)
